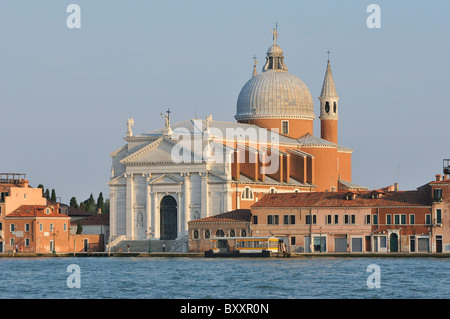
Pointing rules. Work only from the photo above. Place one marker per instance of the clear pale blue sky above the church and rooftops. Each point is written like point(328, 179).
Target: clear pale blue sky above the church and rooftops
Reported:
point(66, 93)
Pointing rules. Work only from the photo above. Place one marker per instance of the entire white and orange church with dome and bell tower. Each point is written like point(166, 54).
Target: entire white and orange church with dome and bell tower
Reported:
point(162, 179)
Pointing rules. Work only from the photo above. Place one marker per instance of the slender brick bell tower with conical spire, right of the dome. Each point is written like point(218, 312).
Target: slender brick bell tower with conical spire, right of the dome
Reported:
point(329, 108)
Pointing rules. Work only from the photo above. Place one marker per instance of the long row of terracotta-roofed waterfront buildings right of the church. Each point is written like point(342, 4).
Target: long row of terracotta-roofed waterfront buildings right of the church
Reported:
point(358, 221)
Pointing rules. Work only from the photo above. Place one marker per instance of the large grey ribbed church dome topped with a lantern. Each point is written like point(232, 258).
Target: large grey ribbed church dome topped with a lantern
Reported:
point(274, 93)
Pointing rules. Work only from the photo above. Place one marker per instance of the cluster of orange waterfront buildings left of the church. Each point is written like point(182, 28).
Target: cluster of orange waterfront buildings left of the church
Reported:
point(31, 224)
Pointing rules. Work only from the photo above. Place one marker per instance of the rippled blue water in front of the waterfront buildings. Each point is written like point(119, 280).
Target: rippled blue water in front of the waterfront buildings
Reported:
point(240, 278)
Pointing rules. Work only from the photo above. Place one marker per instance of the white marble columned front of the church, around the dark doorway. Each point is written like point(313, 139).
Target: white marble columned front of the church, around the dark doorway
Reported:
point(143, 173)
